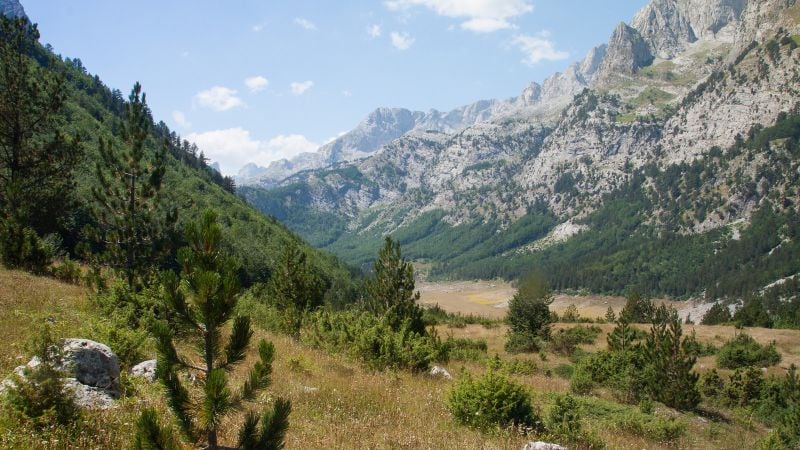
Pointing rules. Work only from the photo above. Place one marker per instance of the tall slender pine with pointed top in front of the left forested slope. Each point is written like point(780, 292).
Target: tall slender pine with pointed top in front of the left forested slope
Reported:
point(134, 225)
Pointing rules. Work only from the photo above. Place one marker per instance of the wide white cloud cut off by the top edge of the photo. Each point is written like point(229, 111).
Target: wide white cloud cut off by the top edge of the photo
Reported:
point(482, 16)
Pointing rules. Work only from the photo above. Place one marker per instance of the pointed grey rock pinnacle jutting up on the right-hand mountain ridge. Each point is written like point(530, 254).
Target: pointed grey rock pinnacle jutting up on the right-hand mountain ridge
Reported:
point(627, 52)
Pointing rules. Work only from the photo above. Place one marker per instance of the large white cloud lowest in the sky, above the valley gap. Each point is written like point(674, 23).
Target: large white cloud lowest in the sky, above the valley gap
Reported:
point(234, 147)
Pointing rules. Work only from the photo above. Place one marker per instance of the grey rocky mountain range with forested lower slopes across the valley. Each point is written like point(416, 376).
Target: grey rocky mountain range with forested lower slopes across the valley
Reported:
point(655, 144)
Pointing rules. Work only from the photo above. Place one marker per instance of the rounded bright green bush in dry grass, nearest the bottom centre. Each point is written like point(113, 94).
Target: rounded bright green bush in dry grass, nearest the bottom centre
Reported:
point(492, 400)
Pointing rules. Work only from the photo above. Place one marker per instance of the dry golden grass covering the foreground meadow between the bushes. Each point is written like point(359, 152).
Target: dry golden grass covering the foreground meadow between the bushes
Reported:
point(339, 405)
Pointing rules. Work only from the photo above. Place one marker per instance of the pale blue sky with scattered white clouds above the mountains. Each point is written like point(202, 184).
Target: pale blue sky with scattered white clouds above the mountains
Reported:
point(256, 81)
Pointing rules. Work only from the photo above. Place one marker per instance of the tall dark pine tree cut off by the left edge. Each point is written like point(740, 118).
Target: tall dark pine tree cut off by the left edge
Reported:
point(36, 159)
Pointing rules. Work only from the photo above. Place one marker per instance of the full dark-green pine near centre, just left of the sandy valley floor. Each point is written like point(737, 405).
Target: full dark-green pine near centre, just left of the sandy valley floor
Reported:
point(295, 288)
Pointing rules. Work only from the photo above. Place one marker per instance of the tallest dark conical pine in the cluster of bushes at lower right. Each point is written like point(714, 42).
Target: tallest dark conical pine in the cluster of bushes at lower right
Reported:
point(669, 374)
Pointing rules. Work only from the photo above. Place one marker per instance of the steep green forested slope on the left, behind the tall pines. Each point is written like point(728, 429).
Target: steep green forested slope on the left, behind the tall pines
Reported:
point(93, 111)
